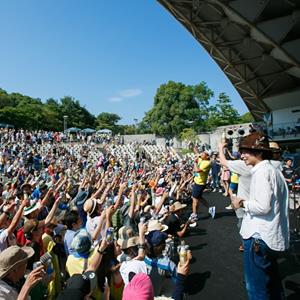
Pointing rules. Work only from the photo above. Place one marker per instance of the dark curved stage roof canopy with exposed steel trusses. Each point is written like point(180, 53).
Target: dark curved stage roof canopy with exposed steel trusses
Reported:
point(255, 42)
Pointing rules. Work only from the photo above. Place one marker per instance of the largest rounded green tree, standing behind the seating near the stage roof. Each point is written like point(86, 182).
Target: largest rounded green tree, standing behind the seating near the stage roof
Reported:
point(176, 107)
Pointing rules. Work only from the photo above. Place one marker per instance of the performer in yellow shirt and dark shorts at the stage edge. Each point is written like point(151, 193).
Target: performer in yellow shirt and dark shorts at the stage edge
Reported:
point(202, 167)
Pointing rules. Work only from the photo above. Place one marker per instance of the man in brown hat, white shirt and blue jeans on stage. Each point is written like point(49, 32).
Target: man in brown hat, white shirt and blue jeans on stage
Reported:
point(265, 228)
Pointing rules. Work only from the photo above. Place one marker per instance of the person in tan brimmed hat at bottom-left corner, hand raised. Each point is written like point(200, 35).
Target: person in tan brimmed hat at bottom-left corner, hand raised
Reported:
point(13, 264)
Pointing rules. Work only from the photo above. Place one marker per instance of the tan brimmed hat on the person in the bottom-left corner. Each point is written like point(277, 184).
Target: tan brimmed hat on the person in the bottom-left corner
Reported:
point(12, 256)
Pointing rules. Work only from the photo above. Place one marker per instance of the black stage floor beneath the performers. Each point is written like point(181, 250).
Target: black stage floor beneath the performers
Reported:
point(217, 267)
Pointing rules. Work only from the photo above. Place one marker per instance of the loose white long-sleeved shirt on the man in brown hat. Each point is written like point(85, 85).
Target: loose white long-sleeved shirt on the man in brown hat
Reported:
point(266, 211)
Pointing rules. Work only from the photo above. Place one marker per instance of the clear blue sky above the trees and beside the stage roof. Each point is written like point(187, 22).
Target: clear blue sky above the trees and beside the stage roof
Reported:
point(110, 55)
